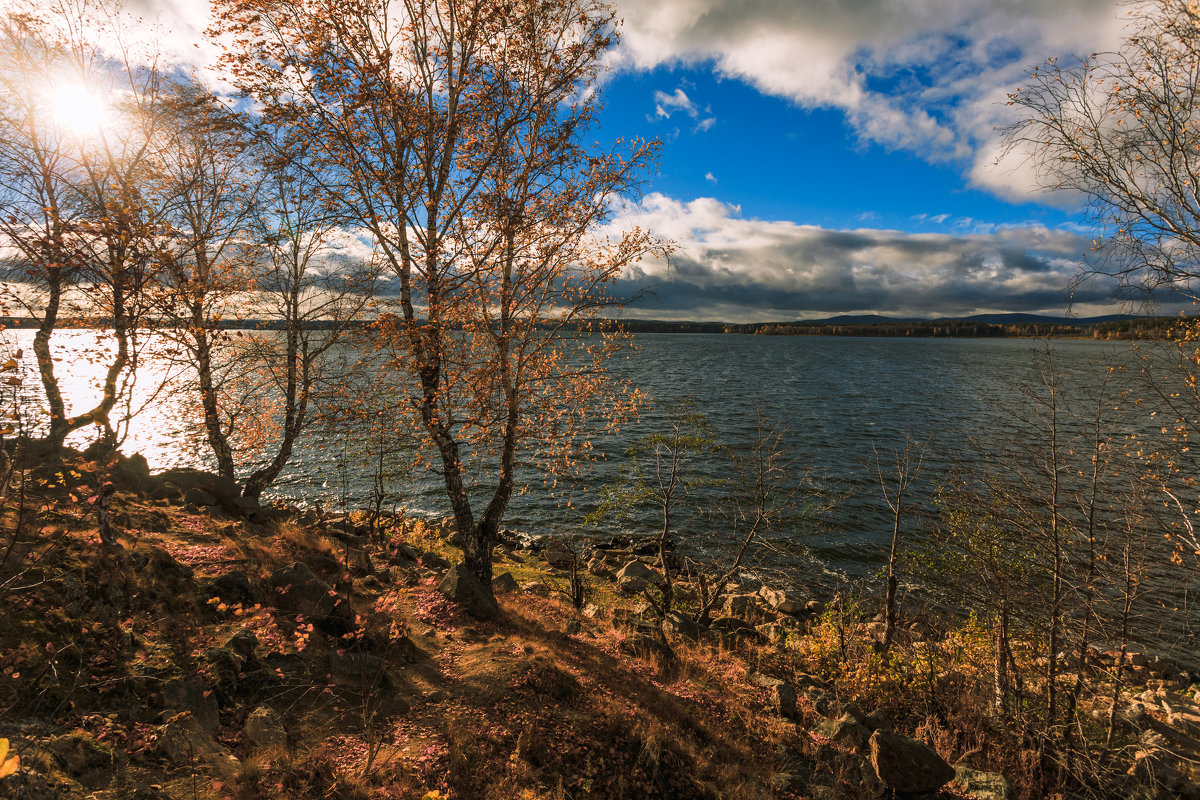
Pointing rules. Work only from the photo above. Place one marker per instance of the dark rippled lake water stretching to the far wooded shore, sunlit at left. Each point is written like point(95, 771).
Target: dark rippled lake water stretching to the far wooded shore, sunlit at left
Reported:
point(842, 400)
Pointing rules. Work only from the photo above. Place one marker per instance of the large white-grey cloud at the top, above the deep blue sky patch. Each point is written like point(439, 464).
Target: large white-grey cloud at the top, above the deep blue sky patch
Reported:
point(926, 77)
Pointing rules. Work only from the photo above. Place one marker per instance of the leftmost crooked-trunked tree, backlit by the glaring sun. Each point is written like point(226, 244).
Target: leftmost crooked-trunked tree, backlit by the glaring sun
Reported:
point(81, 233)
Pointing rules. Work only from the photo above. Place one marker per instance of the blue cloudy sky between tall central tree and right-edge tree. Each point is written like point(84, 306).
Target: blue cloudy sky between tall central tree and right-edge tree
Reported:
point(830, 158)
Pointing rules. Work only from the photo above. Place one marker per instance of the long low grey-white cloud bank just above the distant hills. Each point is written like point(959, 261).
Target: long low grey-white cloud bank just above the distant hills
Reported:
point(727, 267)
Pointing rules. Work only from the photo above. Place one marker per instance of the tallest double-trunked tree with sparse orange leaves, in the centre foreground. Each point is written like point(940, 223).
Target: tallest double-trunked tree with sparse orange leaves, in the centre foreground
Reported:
point(454, 133)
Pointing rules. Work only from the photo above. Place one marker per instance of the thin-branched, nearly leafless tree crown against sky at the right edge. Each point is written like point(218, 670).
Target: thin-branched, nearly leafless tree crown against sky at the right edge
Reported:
point(1120, 130)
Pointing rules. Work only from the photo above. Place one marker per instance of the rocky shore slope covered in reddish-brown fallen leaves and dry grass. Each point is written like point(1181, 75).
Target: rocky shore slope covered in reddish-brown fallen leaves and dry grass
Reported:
point(230, 649)
